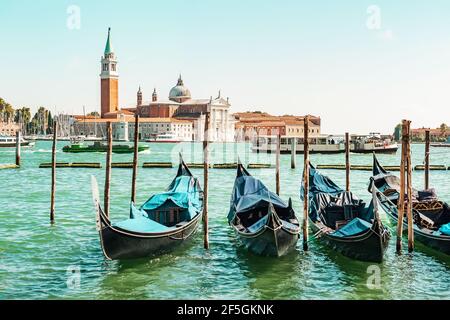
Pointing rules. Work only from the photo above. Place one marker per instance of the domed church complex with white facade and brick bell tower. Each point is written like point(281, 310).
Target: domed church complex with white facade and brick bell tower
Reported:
point(179, 115)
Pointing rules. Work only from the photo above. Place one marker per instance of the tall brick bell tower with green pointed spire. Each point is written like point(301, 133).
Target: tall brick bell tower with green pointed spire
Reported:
point(109, 80)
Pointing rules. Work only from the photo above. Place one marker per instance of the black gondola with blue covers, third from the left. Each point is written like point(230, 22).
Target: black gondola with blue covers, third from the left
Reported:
point(343, 221)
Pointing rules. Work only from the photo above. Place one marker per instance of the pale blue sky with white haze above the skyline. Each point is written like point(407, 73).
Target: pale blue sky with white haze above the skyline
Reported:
point(362, 66)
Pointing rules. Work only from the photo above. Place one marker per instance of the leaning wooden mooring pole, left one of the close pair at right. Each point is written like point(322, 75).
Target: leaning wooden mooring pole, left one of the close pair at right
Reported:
point(401, 199)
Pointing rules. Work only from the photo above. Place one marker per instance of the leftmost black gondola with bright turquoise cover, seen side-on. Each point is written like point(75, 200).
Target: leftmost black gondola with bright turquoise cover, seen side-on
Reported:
point(164, 222)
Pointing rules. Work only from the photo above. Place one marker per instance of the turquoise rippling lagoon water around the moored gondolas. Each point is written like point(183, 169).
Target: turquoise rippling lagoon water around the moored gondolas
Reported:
point(64, 261)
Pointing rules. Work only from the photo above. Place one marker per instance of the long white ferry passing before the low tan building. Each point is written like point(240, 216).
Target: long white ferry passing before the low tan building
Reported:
point(324, 144)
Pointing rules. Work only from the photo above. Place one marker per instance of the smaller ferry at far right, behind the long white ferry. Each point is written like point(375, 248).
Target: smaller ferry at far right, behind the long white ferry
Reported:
point(372, 143)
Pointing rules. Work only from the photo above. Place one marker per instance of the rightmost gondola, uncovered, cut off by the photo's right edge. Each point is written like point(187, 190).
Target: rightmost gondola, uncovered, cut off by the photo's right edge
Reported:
point(431, 216)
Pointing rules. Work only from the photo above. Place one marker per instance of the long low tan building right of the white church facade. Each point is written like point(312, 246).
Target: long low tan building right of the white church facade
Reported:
point(251, 124)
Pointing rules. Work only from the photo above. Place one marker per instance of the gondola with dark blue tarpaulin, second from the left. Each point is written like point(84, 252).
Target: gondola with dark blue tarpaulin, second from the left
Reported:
point(264, 223)
